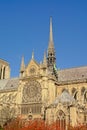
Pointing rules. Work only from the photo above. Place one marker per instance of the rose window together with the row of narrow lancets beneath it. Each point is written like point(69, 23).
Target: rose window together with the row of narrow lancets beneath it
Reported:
point(31, 97)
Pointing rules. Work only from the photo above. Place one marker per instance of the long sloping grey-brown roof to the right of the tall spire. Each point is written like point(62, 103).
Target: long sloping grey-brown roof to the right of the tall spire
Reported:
point(72, 74)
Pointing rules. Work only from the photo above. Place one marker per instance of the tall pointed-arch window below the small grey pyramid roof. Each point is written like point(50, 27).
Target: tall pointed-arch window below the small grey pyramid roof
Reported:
point(61, 120)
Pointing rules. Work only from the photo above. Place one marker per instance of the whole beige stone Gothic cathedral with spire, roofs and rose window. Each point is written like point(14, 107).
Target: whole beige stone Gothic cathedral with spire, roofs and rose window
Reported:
point(42, 91)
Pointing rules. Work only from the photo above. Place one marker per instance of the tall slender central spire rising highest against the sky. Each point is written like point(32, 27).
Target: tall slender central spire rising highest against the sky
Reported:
point(51, 59)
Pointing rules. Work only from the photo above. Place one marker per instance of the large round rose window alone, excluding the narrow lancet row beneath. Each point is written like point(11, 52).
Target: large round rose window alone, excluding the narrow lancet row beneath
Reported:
point(32, 92)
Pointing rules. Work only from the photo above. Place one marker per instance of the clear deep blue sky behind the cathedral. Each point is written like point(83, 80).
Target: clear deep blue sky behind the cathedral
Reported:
point(24, 26)
